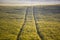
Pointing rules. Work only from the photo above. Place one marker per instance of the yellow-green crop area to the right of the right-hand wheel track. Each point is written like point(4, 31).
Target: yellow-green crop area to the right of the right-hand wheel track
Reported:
point(48, 22)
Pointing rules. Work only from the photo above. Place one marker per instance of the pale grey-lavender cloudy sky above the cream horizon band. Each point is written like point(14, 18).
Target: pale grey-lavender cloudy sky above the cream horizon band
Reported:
point(30, 2)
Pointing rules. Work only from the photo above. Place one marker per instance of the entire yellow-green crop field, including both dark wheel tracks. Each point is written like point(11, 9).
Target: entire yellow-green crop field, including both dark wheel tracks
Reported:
point(30, 23)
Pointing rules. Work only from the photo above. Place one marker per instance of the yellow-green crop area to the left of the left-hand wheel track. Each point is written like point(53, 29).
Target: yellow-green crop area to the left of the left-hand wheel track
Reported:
point(11, 20)
